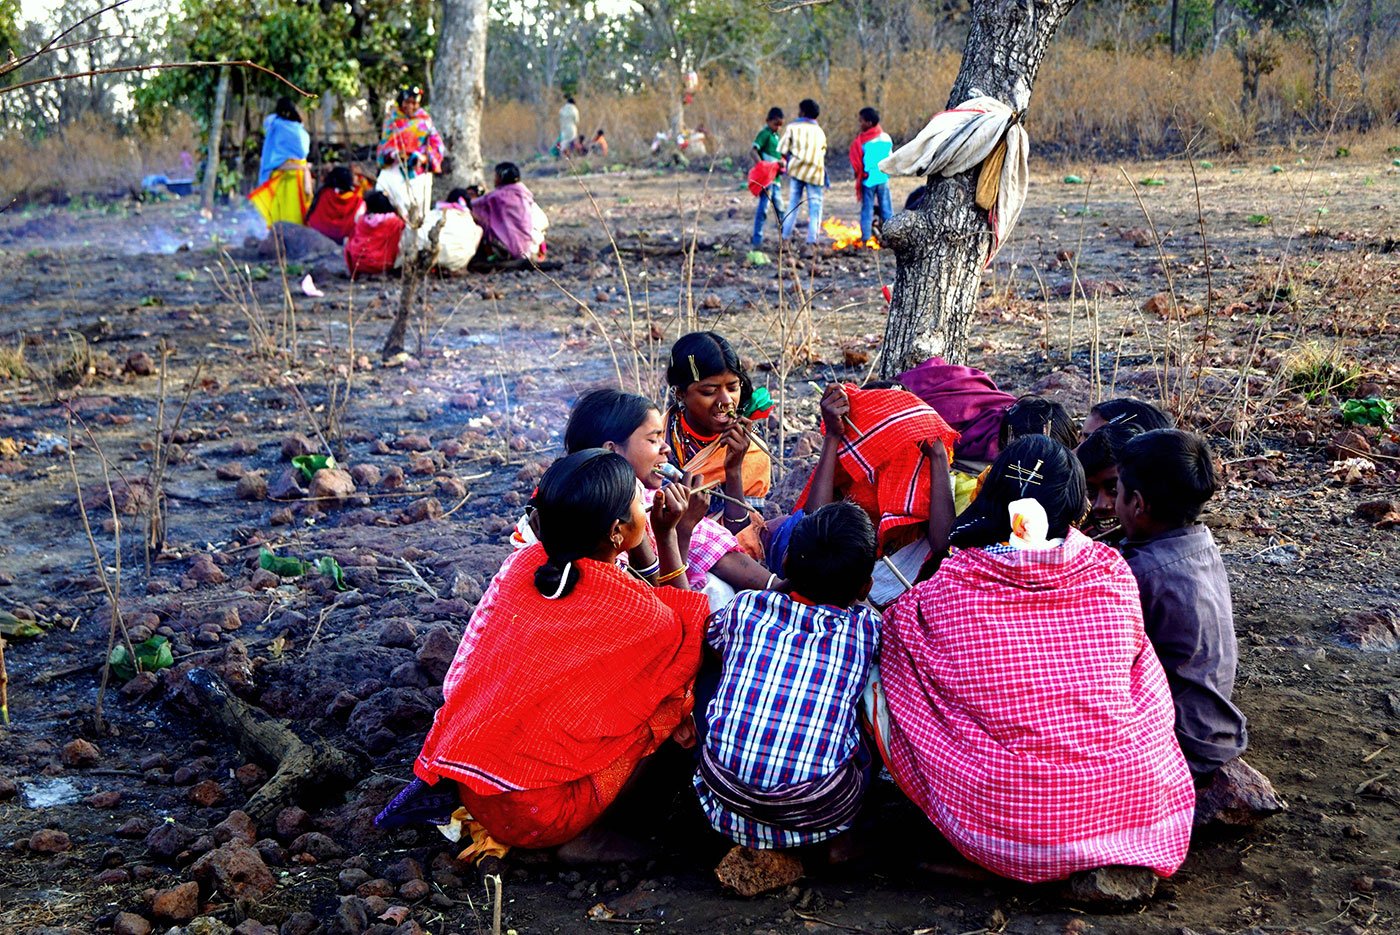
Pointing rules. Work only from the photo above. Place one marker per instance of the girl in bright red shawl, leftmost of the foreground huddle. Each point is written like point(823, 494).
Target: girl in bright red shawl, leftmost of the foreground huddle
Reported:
point(570, 673)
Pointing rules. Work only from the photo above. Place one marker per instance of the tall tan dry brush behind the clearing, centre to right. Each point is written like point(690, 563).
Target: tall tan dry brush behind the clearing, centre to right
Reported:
point(1088, 103)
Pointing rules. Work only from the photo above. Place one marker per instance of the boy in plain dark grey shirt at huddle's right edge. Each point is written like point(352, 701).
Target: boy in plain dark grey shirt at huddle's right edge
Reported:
point(1165, 477)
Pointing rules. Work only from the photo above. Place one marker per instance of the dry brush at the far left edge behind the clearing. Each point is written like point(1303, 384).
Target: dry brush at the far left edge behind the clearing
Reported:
point(92, 156)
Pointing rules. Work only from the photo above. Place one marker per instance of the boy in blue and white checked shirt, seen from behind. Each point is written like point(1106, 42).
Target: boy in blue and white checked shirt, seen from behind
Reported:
point(783, 762)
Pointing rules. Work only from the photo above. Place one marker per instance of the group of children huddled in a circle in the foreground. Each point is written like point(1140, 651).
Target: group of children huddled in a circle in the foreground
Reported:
point(1051, 702)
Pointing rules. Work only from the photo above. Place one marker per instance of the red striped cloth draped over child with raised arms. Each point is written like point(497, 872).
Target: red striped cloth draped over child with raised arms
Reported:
point(880, 465)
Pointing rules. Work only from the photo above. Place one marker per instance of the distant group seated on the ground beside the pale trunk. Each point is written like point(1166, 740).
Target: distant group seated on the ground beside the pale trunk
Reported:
point(377, 226)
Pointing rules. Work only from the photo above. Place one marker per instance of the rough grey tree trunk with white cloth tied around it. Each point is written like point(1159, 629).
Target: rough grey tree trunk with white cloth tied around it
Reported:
point(941, 248)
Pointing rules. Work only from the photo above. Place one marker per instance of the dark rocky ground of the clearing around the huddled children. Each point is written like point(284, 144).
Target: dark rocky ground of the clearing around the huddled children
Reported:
point(173, 374)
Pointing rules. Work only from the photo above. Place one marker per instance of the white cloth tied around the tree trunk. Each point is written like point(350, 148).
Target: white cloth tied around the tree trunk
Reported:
point(978, 132)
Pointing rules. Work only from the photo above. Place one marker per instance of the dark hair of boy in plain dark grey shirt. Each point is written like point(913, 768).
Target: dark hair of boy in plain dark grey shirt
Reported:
point(1174, 471)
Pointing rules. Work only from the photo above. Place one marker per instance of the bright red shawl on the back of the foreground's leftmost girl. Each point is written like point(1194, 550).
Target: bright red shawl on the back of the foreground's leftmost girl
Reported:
point(549, 698)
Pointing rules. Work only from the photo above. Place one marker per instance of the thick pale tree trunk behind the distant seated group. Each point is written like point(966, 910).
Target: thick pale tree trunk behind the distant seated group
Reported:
point(460, 76)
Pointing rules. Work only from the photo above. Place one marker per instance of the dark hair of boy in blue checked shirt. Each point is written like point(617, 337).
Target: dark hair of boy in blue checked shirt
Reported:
point(832, 554)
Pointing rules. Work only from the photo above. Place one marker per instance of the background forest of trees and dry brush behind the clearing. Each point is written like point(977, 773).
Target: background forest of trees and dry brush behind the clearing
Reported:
point(1123, 79)
